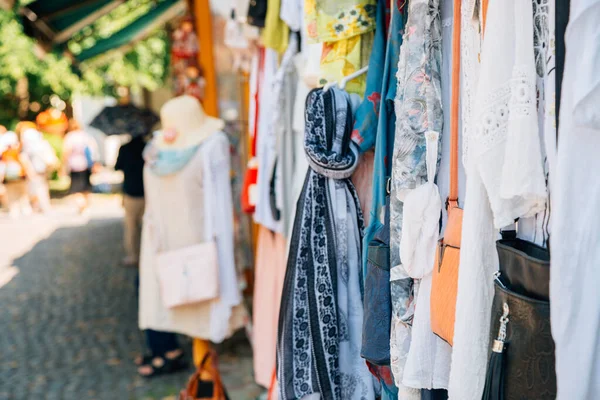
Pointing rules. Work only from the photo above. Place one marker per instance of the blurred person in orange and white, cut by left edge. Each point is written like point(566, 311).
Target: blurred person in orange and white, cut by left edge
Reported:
point(15, 169)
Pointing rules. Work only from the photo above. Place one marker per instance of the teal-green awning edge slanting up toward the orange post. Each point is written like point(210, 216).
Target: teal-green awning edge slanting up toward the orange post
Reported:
point(137, 30)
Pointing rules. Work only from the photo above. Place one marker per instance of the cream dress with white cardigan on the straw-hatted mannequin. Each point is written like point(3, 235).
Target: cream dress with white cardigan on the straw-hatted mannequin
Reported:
point(183, 209)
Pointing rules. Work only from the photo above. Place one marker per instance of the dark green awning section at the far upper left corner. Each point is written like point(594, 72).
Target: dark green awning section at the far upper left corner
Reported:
point(54, 22)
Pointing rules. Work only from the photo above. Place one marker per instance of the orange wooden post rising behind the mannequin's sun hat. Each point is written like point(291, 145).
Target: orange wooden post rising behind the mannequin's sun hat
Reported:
point(203, 23)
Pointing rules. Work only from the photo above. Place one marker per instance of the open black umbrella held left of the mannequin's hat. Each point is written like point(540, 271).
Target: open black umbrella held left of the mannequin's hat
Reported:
point(122, 119)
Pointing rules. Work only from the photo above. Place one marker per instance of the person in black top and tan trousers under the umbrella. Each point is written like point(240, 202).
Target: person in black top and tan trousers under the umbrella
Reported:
point(131, 162)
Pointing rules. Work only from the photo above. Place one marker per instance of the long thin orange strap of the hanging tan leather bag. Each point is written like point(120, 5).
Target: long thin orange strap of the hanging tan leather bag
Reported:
point(454, 115)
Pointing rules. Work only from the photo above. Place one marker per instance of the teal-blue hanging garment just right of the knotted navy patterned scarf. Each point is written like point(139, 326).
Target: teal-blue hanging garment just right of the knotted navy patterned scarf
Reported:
point(375, 126)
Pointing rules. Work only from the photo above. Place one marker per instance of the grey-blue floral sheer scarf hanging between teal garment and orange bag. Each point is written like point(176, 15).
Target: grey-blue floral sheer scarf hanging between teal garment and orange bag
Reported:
point(418, 110)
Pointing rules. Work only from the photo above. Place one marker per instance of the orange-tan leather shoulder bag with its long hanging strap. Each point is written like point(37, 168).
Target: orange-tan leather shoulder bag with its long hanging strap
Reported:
point(445, 272)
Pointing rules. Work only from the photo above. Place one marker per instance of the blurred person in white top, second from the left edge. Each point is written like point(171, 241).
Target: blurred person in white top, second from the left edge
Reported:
point(43, 160)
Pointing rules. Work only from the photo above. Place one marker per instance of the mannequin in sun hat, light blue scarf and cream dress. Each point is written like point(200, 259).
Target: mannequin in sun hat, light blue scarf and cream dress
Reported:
point(188, 202)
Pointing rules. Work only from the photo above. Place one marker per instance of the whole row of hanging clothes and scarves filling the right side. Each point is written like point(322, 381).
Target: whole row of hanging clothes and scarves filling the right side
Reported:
point(499, 61)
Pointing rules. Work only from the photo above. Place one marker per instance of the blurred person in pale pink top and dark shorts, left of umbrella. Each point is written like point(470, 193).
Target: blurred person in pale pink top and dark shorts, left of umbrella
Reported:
point(79, 154)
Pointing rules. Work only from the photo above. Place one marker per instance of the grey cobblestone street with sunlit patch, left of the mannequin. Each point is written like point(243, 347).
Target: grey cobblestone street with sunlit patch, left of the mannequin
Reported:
point(68, 314)
